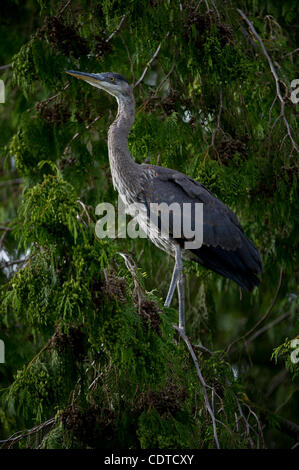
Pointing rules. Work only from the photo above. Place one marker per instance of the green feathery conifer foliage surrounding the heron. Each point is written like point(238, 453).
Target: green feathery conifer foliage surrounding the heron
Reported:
point(92, 358)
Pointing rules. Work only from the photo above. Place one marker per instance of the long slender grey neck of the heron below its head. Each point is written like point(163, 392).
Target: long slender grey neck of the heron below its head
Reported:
point(122, 164)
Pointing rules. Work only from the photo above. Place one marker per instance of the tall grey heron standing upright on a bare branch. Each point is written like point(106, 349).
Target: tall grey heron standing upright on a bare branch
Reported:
point(225, 248)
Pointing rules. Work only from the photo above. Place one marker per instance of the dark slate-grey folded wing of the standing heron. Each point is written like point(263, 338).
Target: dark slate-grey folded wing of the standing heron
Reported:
point(225, 249)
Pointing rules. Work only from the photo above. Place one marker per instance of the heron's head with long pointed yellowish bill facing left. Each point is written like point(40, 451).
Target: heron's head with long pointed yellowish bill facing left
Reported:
point(113, 83)
